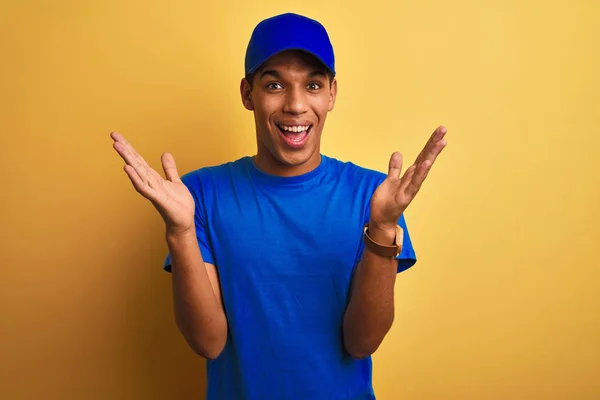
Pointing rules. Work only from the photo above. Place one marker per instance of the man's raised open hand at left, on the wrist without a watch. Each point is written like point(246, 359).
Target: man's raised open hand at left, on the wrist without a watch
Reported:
point(169, 196)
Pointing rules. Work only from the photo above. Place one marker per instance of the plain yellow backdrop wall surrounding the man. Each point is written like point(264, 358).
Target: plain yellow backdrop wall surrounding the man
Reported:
point(503, 303)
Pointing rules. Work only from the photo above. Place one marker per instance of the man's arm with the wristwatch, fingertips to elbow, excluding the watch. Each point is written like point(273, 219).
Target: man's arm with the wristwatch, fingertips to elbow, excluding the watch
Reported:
point(370, 311)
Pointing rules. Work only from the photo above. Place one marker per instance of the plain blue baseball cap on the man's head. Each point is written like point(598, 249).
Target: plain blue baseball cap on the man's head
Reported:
point(288, 32)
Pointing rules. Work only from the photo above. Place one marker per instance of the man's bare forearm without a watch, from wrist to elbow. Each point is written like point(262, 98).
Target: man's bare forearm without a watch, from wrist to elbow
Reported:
point(198, 313)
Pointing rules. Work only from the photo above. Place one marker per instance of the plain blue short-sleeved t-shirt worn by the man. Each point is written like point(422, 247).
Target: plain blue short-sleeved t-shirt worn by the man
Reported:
point(285, 249)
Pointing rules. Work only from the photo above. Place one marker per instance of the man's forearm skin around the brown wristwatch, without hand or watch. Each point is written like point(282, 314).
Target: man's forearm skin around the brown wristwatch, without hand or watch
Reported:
point(370, 312)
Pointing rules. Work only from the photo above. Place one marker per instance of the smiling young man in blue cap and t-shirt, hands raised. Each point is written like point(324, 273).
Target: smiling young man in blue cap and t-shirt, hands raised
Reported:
point(283, 264)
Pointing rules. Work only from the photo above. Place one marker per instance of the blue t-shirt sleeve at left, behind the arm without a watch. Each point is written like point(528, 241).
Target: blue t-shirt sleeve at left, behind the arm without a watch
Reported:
point(194, 184)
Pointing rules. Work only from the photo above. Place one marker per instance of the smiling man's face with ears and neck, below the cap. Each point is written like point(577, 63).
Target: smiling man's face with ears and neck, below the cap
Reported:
point(290, 96)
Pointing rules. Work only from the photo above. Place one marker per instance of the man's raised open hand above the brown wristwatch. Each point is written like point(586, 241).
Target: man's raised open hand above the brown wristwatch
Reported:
point(396, 192)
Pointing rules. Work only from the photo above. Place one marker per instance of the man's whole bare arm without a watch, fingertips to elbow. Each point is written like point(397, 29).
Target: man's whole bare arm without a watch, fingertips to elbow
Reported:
point(196, 293)
